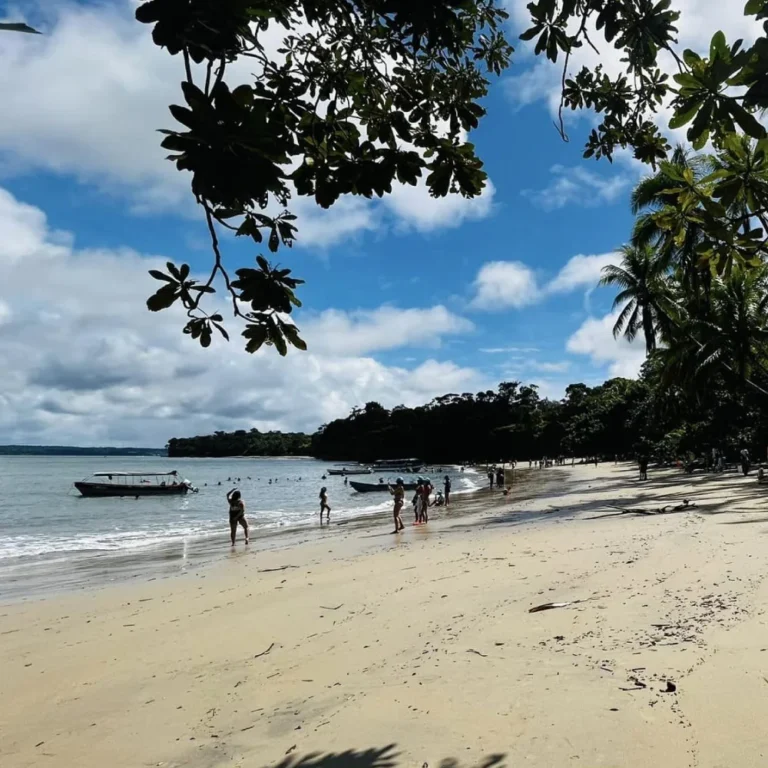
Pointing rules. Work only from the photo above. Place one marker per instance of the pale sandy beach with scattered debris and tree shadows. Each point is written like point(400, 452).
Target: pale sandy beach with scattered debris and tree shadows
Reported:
point(365, 649)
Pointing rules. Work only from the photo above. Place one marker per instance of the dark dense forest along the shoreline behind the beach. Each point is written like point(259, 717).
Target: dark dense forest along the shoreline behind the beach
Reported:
point(623, 417)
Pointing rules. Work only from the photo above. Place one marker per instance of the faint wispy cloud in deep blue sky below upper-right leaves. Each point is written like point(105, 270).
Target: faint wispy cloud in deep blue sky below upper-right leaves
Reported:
point(579, 186)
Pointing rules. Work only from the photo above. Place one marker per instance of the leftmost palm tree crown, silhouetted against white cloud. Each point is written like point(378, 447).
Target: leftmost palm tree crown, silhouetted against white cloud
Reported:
point(644, 293)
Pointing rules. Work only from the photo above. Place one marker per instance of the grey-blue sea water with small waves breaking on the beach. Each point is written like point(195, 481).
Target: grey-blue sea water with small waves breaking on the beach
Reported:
point(50, 534)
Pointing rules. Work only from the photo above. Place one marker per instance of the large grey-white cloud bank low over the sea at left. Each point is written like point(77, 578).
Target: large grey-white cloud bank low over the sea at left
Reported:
point(84, 361)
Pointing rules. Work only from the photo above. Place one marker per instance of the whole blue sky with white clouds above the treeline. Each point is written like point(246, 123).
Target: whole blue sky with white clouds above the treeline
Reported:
point(405, 299)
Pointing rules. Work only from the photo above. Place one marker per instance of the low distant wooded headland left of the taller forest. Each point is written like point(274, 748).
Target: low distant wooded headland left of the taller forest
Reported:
point(241, 443)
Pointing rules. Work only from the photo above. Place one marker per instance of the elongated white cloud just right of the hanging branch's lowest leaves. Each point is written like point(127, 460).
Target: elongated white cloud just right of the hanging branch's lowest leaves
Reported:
point(364, 331)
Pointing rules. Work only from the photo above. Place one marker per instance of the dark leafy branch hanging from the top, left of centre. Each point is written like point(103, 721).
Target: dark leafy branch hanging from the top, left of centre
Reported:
point(360, 94)
